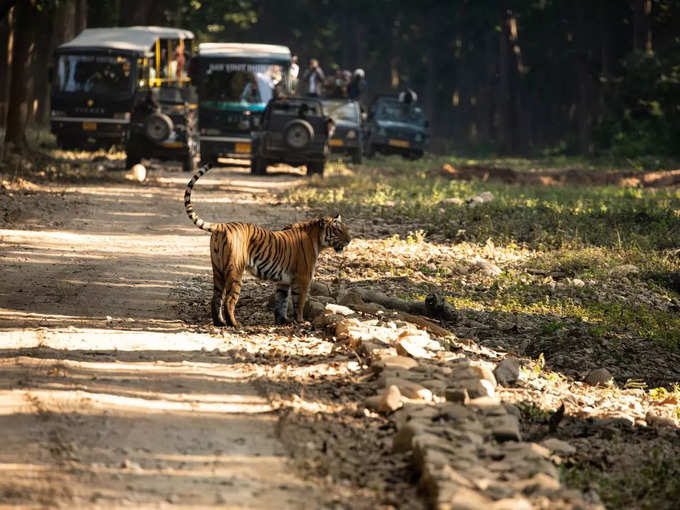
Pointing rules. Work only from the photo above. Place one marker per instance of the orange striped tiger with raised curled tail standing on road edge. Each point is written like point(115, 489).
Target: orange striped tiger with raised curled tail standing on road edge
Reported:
point(287, 257)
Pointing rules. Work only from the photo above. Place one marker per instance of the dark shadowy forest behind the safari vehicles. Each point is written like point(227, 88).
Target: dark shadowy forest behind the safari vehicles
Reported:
point(510, 77)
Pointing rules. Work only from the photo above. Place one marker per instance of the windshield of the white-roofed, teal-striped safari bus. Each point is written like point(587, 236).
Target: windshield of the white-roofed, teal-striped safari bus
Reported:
point(232, 84)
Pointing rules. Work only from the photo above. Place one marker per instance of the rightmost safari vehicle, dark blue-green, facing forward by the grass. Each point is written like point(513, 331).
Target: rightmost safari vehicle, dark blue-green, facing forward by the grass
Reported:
point(396, 128)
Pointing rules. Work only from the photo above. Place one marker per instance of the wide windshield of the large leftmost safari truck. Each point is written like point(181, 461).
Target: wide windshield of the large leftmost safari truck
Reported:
point(96, 75)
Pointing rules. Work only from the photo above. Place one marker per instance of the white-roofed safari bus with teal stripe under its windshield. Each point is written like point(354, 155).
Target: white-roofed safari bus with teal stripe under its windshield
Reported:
point(235, 81)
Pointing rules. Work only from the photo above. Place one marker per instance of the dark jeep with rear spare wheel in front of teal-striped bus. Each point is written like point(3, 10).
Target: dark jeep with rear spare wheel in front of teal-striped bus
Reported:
point(294, 130)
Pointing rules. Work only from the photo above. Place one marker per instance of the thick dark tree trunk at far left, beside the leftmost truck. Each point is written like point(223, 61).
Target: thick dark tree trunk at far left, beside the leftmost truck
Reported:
point(27, 23)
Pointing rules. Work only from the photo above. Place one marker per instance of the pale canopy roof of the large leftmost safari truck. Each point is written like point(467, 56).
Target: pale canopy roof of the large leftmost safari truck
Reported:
point(128, 39)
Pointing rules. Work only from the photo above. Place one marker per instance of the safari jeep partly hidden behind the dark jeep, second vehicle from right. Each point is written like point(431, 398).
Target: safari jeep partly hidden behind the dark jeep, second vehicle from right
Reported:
point(348, 135)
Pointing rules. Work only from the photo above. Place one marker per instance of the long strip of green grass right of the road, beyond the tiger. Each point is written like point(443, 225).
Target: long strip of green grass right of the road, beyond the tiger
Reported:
point(533, 216)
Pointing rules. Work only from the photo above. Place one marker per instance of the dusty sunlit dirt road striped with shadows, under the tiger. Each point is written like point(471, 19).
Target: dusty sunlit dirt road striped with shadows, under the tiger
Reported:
point(115, 390)
